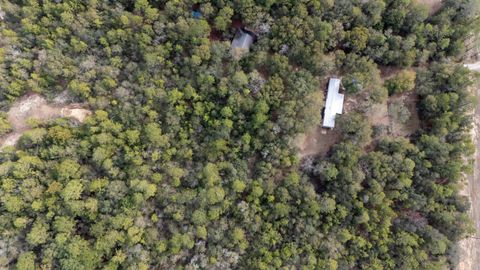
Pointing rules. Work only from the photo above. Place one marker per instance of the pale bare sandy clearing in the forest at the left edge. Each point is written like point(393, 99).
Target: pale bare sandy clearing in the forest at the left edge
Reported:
point(34, 106)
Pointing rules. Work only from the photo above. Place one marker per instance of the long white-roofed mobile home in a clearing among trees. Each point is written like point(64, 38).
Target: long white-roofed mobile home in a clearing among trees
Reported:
point(334, 103)
